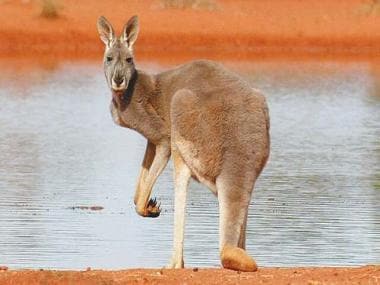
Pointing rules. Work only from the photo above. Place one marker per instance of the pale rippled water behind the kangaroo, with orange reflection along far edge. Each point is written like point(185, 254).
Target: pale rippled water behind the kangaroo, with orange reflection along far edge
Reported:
point(316, 203)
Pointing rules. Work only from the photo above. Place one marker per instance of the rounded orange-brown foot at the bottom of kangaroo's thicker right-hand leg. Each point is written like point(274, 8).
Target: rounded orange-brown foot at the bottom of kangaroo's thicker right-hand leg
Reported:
point(236, 258)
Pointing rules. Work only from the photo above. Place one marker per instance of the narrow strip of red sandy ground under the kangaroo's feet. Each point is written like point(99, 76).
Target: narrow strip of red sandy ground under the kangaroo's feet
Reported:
point(278, 276)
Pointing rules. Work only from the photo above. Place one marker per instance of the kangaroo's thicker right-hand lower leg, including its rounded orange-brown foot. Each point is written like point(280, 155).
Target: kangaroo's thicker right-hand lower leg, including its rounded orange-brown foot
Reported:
point(234, 200)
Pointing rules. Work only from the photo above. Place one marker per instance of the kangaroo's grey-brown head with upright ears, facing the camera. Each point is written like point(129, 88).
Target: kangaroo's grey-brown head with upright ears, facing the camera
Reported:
point(118, 61)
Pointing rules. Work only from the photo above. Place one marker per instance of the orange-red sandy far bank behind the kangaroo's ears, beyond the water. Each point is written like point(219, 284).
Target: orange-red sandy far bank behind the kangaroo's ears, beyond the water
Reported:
point(232, 28)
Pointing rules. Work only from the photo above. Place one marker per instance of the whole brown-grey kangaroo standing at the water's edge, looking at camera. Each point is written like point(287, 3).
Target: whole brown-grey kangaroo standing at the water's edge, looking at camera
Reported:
point(212, 124)
